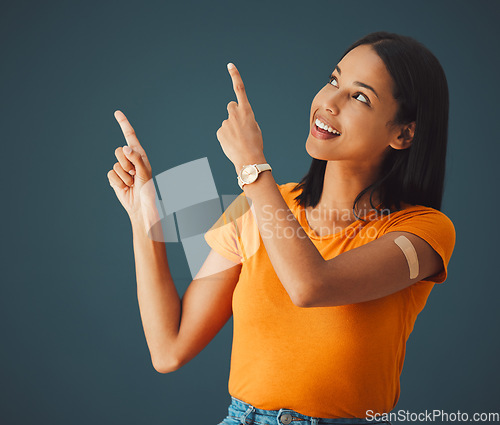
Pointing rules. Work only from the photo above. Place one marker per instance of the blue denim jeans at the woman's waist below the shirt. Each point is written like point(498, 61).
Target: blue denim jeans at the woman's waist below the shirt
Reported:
point(241, 413)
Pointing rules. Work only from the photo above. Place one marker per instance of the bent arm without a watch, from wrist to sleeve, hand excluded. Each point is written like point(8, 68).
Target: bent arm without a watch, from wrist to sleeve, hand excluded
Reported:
point(177, 330)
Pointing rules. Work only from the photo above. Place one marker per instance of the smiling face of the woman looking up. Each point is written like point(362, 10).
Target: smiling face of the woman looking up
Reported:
point(357, 102)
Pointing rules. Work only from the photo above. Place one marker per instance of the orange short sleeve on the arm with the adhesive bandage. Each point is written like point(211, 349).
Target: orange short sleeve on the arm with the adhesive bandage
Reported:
point(434, 227)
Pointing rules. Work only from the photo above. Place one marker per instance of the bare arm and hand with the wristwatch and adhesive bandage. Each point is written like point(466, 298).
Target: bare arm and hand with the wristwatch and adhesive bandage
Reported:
point(371, 271)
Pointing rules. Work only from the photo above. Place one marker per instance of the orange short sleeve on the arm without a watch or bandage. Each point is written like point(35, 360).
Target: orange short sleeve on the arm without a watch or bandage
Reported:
point(225, 236)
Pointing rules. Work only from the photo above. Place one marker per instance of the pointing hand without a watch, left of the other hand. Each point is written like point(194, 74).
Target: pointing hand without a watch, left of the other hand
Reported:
point(131, 176)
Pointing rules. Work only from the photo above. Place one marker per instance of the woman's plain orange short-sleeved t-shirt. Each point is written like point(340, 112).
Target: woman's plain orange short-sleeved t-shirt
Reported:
point(327, 362)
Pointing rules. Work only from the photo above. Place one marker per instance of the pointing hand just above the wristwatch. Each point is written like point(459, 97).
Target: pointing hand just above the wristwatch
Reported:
point(240, 136)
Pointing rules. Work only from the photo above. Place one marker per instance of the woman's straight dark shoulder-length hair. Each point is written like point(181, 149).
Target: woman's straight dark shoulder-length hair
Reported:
point(414, 175)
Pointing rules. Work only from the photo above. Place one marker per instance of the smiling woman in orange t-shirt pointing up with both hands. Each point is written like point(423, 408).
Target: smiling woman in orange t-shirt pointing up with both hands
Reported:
point(324, 278)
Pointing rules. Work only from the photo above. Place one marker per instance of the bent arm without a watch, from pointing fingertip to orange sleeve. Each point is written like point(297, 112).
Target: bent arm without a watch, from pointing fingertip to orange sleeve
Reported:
point(176, 330)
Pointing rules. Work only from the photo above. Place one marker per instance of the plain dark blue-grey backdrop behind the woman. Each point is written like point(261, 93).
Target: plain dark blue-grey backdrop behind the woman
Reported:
point(73, 349)
